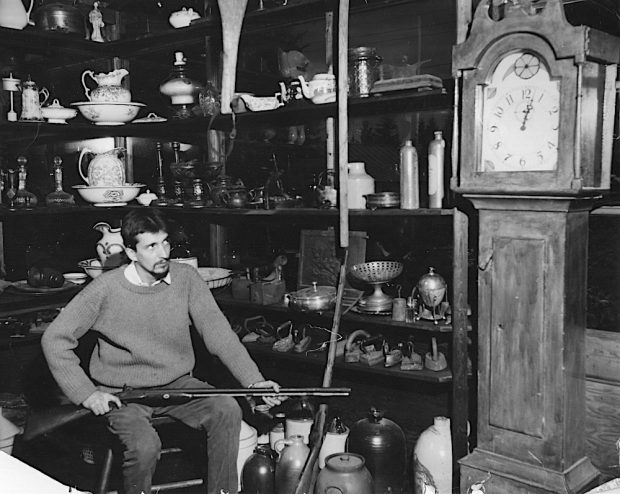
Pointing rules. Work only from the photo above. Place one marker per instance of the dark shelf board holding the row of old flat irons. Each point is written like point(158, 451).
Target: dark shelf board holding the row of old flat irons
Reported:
point(318, 359)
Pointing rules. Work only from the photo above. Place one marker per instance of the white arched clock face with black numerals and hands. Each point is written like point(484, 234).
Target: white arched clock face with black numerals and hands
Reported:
point(520, 116)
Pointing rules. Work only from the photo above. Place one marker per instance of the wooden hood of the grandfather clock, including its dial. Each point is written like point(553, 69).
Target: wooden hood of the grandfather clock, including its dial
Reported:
point(538, 98)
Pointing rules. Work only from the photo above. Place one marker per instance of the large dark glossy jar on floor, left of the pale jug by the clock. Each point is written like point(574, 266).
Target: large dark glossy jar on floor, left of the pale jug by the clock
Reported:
point(382, 443)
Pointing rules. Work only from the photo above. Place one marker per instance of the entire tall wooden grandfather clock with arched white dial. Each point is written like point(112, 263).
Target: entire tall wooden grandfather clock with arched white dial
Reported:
point(538, 98)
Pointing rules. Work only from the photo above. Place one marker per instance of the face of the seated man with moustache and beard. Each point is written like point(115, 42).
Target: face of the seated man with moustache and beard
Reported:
point(151, 256)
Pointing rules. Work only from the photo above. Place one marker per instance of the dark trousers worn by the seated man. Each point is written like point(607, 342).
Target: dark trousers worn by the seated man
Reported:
point(219, 417)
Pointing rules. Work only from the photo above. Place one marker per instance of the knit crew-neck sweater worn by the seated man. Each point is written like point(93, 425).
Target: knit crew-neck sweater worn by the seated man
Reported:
point(144, 338)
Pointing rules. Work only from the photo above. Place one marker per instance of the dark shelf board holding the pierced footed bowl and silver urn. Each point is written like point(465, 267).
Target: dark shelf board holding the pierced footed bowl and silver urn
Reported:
point(225, 300)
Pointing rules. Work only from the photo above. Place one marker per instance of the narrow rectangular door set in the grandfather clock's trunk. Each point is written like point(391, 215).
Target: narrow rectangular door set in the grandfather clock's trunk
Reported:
point(517, 315)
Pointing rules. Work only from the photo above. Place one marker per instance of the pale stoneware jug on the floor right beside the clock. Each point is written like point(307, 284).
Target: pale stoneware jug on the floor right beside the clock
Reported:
point(432, 459)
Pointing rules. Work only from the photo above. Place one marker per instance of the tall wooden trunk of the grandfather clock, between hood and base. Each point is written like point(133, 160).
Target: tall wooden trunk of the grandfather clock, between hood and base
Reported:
point(530, 331)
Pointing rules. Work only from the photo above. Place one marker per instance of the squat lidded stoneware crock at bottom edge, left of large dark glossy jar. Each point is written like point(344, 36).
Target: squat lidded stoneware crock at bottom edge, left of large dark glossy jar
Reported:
point(344, 473)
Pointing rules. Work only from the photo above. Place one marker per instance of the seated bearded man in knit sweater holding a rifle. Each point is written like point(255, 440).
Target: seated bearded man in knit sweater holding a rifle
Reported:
point(142, 313)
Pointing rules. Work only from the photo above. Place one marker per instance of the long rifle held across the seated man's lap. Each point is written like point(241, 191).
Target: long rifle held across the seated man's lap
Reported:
point(44, 421)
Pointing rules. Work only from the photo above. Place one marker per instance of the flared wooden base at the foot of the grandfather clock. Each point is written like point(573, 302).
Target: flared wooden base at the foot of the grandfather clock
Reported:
point(503, 475)
